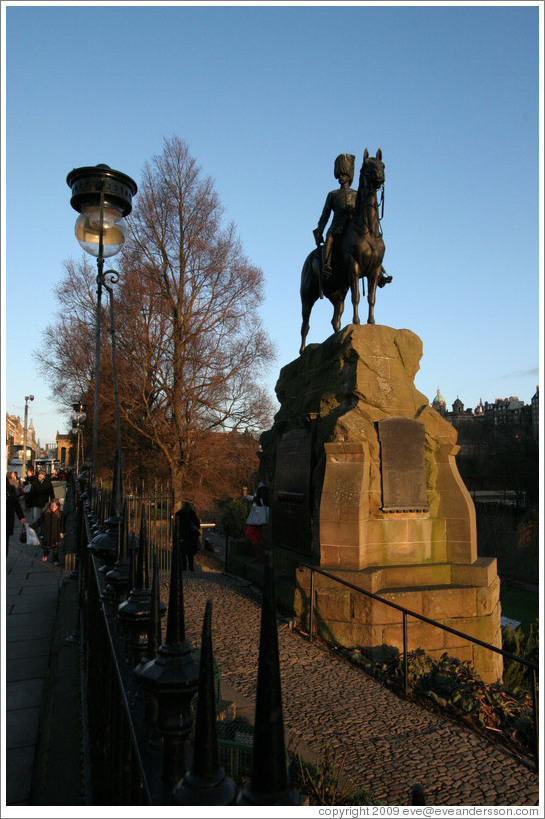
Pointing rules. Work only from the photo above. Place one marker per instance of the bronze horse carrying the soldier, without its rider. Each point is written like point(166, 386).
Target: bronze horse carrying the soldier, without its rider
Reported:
point(357, 253)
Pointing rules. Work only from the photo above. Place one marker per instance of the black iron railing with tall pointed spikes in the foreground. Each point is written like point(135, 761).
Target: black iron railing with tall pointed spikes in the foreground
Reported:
point(142, 745)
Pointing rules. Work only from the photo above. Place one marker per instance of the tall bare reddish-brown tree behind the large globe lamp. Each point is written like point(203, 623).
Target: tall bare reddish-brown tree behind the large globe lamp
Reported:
point(190, 344)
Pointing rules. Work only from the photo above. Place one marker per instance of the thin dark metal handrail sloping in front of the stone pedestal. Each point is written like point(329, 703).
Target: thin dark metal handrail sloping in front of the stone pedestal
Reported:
point(408, 612)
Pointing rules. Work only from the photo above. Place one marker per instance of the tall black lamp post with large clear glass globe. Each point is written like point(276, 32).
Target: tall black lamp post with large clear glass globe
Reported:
point(102, 197)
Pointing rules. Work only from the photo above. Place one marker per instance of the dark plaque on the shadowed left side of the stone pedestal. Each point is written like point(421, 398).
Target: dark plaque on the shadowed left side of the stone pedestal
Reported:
point(291, 502)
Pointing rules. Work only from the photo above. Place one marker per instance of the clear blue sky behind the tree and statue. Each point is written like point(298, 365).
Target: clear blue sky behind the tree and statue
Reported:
point(266, 97)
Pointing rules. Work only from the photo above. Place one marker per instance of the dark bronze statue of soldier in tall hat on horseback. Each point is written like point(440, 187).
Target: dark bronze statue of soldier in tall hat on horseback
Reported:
point(353, 247)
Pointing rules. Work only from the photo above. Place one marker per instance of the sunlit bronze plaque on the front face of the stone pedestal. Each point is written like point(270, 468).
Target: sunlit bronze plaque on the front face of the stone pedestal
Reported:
point(403, 465)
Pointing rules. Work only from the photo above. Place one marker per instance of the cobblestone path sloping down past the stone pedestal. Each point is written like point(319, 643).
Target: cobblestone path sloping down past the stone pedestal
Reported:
point(388, 744)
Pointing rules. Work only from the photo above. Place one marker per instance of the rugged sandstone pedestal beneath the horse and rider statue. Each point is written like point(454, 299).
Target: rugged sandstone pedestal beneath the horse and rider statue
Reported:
point(364, 483)
